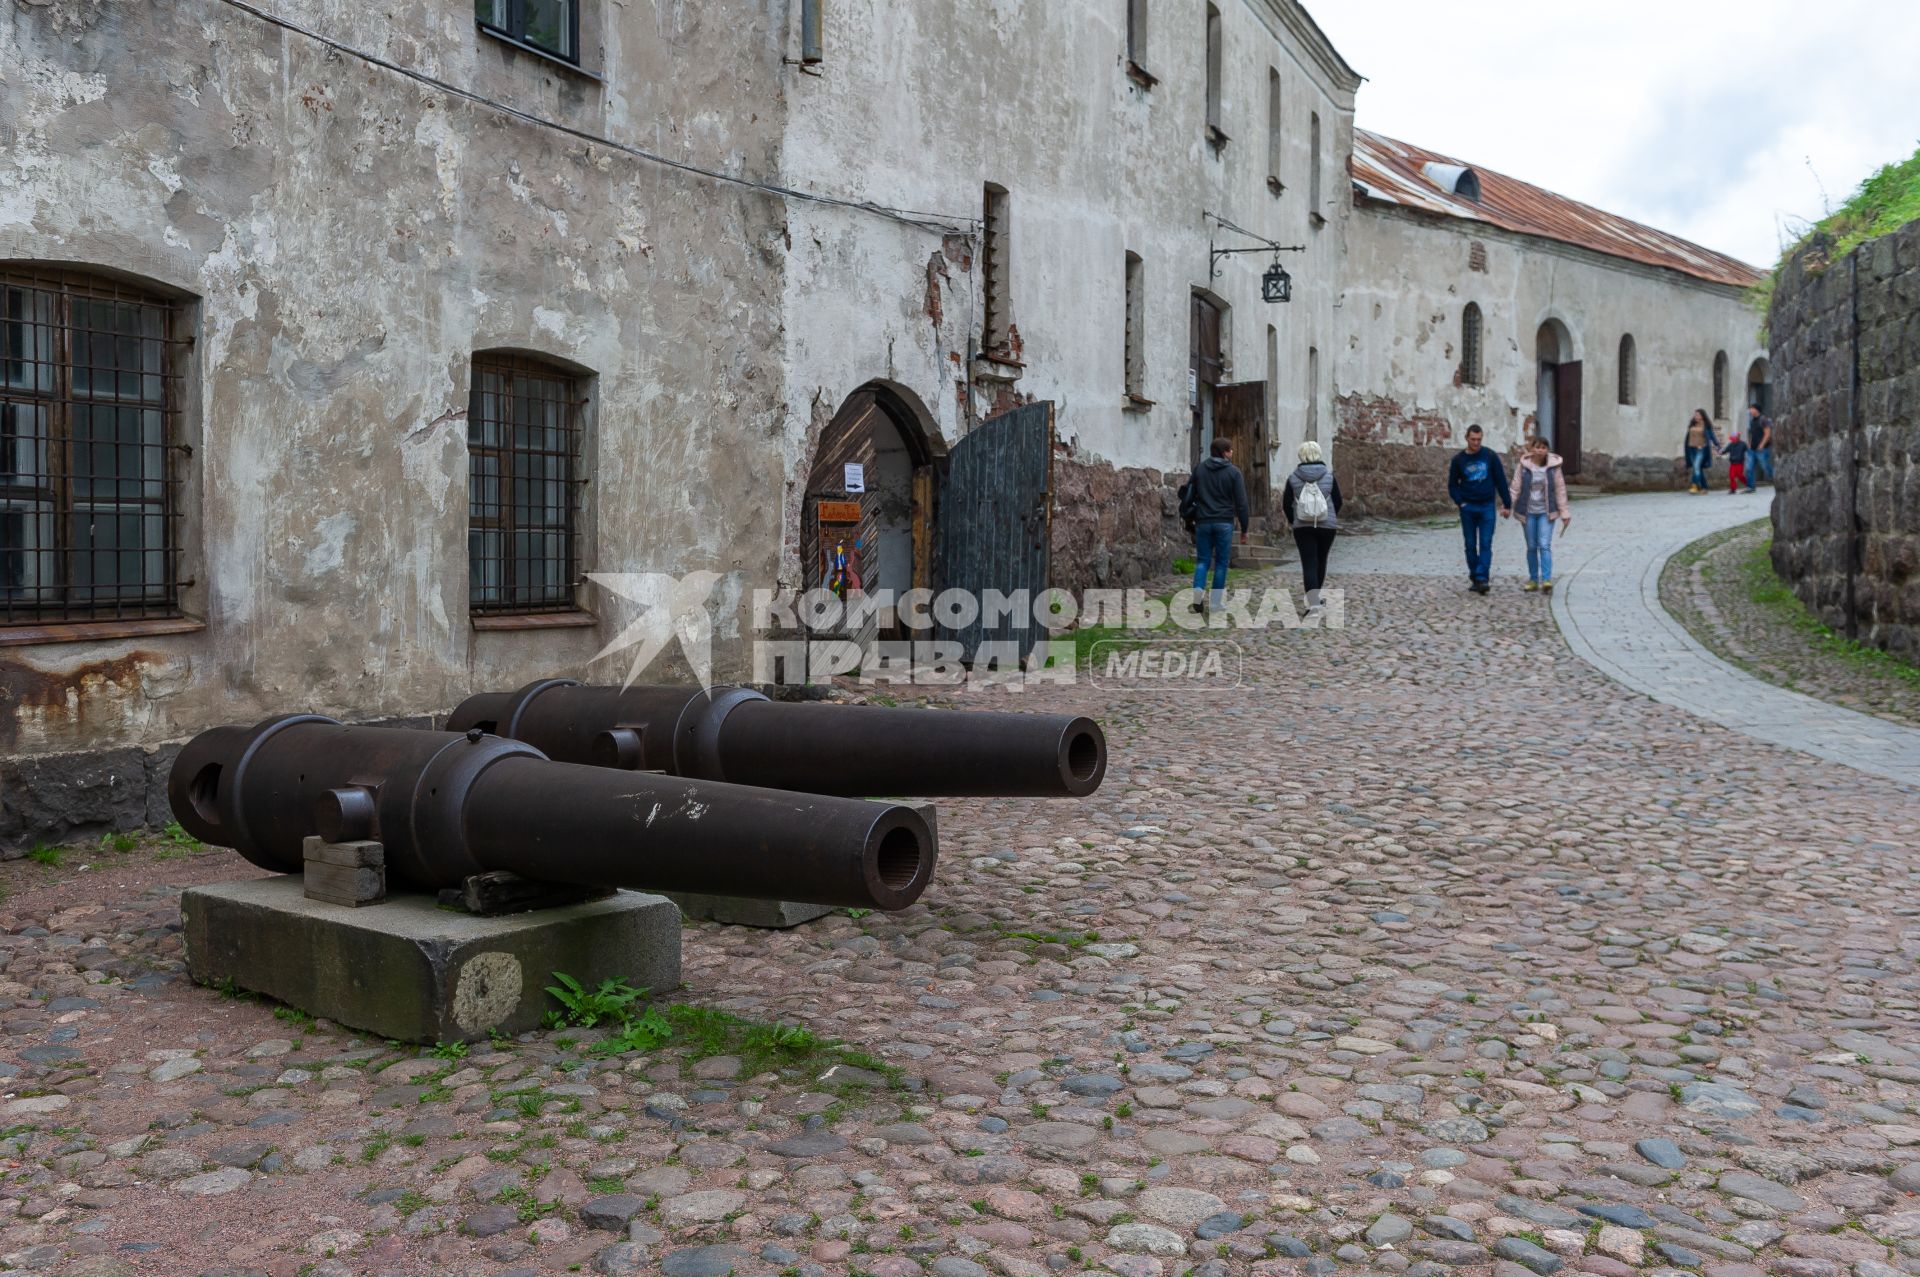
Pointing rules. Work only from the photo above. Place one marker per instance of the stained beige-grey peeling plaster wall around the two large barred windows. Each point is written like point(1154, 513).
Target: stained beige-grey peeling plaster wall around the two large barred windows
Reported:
point(348, 239)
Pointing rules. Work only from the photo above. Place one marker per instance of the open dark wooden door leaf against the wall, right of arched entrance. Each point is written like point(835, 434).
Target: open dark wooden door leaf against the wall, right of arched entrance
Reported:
point(996, 523)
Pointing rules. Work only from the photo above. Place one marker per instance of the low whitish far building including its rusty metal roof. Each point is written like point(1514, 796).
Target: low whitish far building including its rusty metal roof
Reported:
point(1474, 299)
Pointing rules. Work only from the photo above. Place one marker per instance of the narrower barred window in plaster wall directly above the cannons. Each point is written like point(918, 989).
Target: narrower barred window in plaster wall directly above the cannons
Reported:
point(523, 487)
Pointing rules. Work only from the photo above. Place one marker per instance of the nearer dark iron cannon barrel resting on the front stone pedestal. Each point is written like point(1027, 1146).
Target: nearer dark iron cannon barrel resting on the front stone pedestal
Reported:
point(448, 806)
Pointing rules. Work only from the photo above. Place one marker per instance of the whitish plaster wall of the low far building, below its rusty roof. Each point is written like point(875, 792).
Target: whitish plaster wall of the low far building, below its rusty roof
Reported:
point(1408, 285)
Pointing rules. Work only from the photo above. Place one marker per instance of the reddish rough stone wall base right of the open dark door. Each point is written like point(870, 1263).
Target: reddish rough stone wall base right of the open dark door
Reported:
point(1113, 529)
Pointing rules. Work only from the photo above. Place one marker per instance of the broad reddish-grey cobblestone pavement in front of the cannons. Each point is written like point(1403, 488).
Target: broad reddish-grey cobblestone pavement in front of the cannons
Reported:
point(1429, 950)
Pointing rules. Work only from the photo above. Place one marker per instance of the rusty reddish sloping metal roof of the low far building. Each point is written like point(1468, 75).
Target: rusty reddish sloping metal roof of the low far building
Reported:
point(1387, 172)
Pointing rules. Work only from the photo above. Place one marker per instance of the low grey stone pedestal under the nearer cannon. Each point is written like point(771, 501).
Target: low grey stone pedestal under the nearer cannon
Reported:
point(416, 973)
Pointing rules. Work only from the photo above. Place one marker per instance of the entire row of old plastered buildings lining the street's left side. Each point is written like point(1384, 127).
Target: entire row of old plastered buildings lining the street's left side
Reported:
point(339, 347)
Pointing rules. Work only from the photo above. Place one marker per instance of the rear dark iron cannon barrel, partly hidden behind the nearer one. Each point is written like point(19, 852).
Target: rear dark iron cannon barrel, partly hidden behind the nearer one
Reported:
point(740, 736)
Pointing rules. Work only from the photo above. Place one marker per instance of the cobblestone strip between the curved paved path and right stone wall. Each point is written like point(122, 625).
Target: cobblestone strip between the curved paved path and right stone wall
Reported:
point(1710, 596)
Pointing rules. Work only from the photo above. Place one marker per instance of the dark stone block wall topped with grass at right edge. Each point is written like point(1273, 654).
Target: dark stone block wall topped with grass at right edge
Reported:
point(1846, 356)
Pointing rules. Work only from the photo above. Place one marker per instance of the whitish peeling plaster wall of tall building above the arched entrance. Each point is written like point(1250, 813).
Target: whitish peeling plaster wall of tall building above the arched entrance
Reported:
point(921, 105)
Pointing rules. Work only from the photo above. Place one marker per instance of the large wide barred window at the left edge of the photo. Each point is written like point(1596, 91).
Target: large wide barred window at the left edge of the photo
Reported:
point(89, 445)
